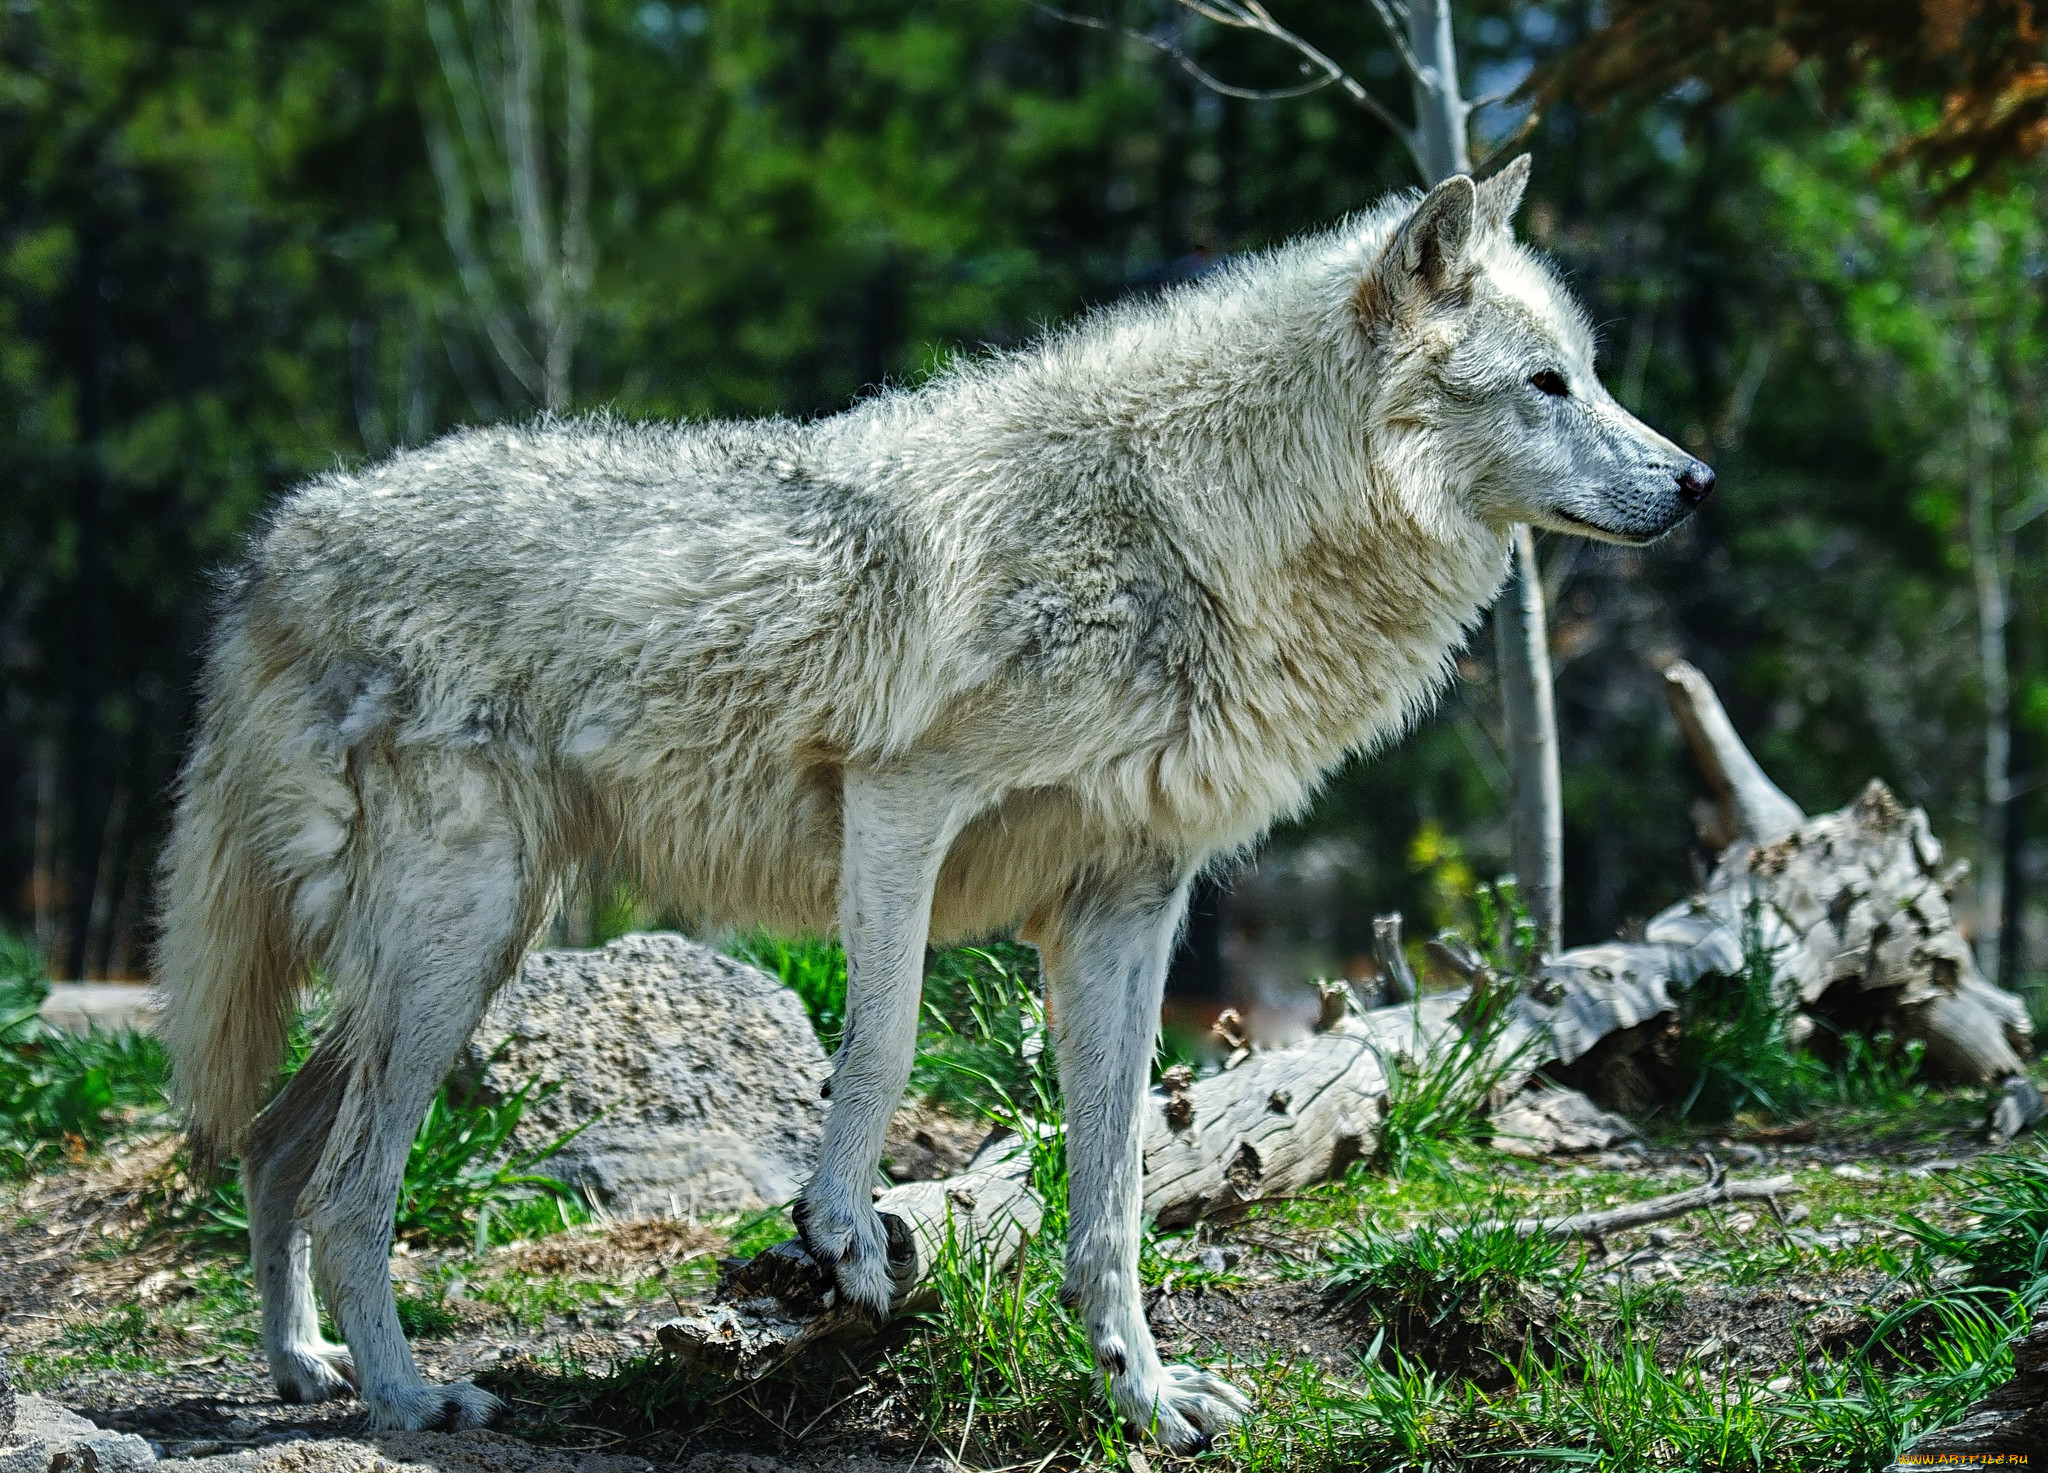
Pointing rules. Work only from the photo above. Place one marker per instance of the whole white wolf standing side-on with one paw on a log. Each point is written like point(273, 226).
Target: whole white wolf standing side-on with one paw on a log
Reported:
point(1027, 646)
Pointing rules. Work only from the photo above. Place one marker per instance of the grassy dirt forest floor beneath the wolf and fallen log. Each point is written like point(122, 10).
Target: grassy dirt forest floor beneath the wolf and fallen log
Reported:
point(1719, 1320)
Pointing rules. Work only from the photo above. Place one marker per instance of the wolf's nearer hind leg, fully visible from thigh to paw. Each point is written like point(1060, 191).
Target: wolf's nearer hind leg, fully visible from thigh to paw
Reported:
point(437, 933)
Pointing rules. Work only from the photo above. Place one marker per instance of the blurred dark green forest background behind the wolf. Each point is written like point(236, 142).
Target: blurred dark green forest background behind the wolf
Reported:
point(249, 241)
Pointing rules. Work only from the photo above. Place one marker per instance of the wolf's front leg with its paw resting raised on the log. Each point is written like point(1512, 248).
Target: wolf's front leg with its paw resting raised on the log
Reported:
point(898, 833)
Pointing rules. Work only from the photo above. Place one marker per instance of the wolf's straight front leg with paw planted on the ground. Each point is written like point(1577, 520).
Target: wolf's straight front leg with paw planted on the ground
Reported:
point(1107, 970)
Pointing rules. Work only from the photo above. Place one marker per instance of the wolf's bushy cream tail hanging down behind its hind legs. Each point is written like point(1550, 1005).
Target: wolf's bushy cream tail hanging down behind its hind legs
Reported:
point(226, 956)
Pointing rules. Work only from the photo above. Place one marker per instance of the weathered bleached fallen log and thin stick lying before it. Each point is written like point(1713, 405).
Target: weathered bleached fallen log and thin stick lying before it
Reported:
point(1852, 911)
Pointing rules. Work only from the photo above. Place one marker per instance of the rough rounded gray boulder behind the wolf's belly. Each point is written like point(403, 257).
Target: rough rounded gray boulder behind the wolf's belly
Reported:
point(706, 1070)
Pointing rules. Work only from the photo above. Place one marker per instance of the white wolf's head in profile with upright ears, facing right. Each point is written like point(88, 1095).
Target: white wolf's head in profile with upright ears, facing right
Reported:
point(1492, 360)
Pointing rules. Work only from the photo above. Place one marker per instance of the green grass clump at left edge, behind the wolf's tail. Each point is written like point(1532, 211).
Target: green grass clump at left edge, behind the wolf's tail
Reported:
point(62, 1093)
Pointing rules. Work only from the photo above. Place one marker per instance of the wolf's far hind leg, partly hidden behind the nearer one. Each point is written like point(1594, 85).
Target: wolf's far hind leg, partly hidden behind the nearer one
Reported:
point(284, 1148)
